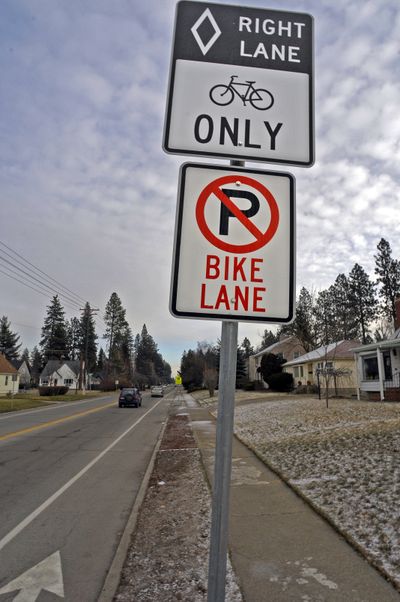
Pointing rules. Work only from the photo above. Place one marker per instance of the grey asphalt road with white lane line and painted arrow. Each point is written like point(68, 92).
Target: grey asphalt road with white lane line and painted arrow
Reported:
point(69, 475)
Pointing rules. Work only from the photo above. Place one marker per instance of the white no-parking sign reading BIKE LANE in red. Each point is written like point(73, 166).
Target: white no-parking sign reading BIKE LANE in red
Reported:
point(234, 245)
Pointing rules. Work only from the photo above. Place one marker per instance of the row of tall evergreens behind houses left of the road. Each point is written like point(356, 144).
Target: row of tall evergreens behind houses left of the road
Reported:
point(128, 359)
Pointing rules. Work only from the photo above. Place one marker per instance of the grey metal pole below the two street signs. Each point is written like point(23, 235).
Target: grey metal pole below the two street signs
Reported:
point(223, 461)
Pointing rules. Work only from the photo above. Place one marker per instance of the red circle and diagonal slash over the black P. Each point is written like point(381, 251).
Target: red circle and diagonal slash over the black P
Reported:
point(261, 238)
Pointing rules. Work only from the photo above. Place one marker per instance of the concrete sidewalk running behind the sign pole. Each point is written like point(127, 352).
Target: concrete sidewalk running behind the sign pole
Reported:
point(281, 549)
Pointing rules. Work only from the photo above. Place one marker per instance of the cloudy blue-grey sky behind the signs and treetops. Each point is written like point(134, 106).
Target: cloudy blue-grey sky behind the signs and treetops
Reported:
point(88, 196)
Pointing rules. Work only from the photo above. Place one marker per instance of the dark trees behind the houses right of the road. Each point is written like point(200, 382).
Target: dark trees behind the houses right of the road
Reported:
point(346, 310)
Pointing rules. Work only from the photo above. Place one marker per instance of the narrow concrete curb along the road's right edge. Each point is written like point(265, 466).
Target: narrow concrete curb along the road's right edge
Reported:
point(112, 579)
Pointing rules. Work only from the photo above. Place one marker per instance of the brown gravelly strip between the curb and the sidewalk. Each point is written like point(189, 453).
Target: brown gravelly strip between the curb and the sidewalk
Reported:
point(167, 558)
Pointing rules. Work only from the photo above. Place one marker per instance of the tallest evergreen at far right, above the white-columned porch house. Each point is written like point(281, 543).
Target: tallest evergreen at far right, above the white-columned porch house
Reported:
point(388, 276)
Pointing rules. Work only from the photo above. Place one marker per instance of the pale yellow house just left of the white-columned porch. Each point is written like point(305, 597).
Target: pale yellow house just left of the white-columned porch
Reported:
point(333, 364)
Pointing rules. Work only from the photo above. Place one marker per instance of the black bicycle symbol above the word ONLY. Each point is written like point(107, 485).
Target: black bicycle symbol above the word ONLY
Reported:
point(259, 98)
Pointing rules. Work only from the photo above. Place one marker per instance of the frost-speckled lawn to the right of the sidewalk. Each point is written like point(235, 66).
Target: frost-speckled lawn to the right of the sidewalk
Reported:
point(345, 459)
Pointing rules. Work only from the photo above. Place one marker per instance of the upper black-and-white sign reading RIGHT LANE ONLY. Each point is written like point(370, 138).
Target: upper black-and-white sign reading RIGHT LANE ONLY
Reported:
point(241, 84)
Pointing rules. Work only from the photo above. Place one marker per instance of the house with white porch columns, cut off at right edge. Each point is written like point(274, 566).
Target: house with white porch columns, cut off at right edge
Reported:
point(378, 366)
